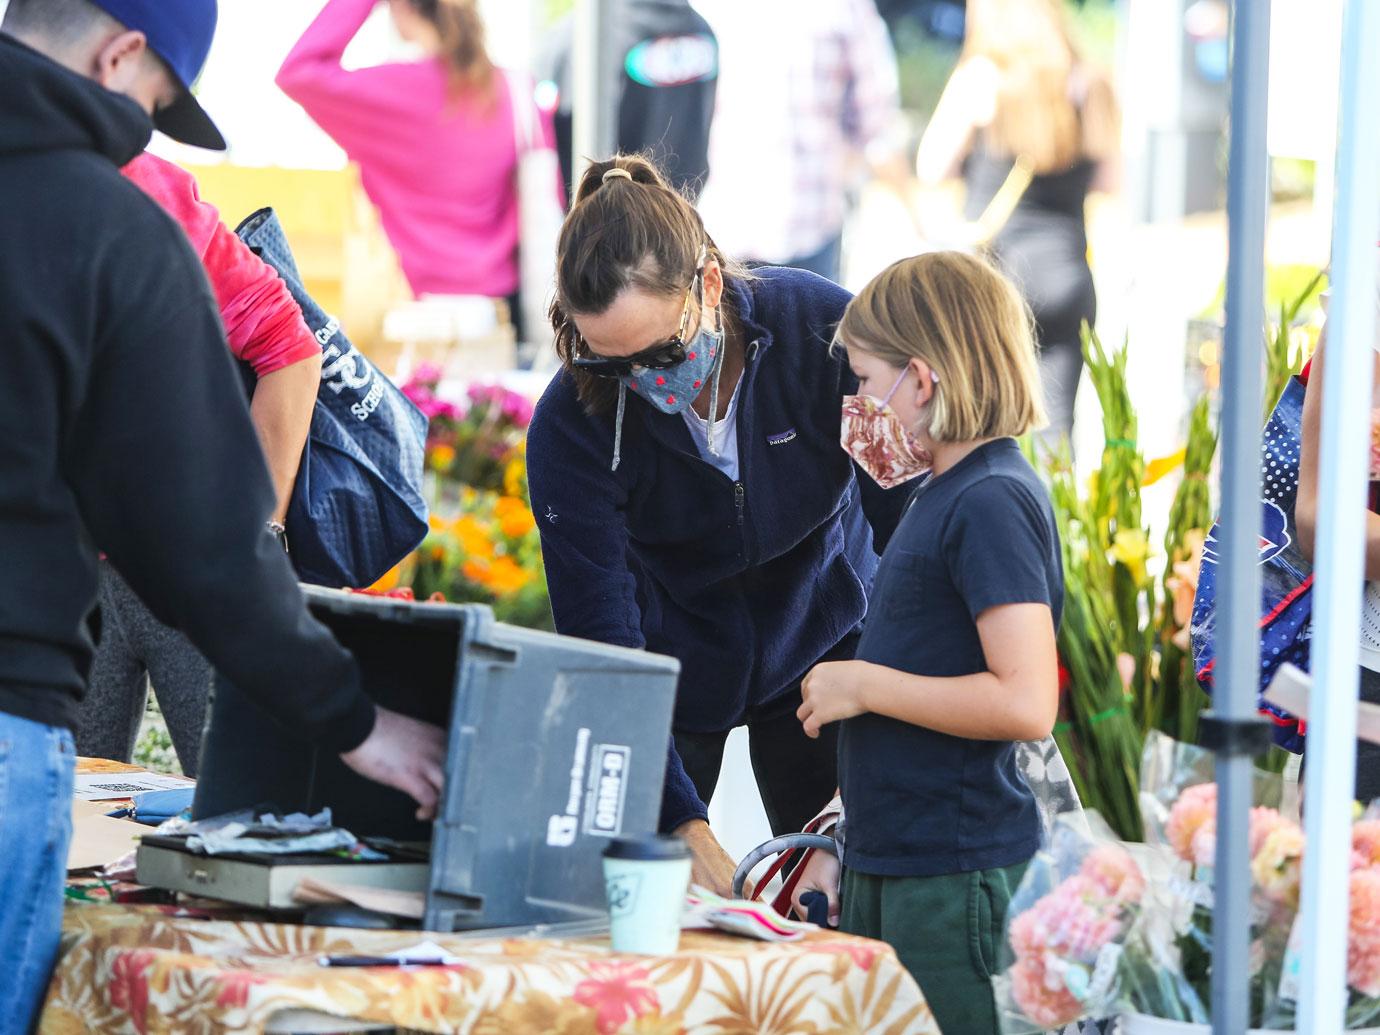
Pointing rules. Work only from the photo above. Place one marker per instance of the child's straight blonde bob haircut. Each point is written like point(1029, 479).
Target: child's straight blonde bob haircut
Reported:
point(971, 326)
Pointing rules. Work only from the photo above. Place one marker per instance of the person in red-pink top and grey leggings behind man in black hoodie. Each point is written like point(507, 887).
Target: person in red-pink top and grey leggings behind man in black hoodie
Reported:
point(264, 328)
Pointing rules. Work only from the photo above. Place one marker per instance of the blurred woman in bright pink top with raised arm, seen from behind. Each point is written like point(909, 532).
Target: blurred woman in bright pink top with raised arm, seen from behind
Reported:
point(434, 140)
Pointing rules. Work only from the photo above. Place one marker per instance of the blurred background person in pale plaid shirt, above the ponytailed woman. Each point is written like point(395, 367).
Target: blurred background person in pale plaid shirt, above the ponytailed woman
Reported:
point(808, 104)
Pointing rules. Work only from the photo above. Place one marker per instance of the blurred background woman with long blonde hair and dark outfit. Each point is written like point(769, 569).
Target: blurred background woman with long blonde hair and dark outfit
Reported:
point(1023, 95)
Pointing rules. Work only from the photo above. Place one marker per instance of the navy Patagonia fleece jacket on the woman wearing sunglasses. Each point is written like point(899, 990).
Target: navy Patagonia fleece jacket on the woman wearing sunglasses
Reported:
point(747, 583)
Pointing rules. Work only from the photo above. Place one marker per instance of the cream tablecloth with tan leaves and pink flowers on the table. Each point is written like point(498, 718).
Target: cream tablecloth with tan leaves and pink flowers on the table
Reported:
point(139, 969)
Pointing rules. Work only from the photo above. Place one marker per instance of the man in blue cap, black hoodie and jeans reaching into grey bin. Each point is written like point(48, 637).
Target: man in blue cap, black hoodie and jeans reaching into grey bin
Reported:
point(124, 430)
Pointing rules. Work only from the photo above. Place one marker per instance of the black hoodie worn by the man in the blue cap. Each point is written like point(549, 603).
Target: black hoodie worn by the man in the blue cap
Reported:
point(124, 428)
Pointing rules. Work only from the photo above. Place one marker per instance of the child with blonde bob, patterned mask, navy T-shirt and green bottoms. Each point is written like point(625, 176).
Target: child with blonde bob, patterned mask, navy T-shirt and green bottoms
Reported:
point(958, 660)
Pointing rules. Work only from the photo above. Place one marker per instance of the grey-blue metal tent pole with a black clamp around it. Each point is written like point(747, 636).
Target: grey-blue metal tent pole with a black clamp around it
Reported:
point(1233, 729)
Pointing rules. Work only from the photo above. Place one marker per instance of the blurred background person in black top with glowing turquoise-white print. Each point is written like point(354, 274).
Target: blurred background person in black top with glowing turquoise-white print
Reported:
point(669, 75)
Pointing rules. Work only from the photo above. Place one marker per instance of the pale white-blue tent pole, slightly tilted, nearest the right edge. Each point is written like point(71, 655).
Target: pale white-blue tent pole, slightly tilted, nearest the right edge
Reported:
point(1341, 538)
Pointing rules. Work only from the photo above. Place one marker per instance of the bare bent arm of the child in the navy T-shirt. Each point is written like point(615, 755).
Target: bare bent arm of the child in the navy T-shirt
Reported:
point(1016, 699)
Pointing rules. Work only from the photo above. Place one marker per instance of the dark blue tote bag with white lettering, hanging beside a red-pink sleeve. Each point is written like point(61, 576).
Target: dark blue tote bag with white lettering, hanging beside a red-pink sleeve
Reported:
point(358, 506)
